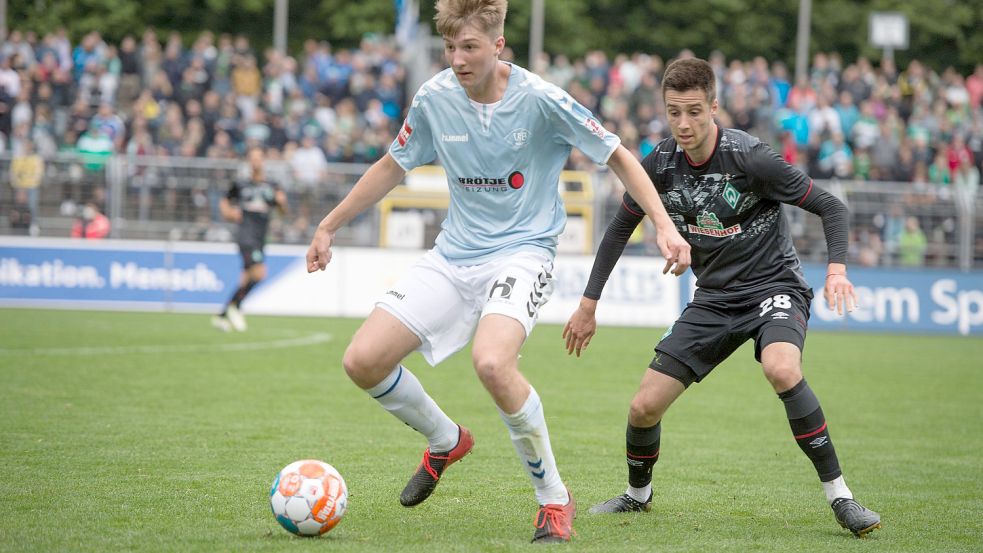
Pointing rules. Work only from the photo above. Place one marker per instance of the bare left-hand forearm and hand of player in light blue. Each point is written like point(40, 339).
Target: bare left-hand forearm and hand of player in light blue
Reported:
point(382, 177)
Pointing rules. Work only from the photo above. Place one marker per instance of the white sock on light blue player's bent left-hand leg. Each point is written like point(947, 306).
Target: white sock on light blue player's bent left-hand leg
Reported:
point(401, 394)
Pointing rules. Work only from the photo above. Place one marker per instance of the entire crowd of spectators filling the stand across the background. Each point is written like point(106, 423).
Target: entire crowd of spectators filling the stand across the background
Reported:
point(156, 95)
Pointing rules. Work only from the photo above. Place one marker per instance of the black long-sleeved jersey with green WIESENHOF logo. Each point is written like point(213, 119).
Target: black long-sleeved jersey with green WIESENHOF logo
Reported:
point(729, 210)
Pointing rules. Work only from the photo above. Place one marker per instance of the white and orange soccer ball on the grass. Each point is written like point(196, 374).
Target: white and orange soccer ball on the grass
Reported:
point(308, 497)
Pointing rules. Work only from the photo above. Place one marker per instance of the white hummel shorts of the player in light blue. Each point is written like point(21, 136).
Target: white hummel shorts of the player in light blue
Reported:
point(442, 303)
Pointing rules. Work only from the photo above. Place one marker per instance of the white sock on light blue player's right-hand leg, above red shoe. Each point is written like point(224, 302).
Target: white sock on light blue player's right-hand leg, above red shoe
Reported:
point(527, 428)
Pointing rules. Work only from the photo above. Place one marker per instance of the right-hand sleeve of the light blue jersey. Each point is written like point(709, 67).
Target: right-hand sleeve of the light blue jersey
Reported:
point(575, 125)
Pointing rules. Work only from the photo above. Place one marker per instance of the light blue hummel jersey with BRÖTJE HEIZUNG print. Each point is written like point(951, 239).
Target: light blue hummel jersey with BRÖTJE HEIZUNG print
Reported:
point(503, 161)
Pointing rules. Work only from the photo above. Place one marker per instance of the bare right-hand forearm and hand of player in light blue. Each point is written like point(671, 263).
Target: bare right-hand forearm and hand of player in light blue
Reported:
point(673, 246)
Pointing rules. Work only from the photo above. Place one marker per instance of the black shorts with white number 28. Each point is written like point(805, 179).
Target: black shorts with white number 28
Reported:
point(707, 332)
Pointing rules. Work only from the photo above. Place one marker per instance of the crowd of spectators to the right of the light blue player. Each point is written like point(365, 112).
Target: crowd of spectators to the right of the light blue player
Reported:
point(918, 132)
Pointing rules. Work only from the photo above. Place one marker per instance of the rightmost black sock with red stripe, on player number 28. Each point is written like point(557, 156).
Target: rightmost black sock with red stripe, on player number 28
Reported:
point(805, 416)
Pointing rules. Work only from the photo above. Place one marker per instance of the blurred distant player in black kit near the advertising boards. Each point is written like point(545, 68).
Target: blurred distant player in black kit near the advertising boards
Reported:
point(249, 203)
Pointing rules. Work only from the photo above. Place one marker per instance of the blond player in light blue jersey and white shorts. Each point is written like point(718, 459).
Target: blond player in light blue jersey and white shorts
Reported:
point(503, 135)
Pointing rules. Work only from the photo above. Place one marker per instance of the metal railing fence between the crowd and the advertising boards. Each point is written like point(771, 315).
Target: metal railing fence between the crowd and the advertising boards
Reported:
point(177, 198)
